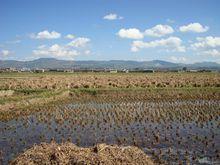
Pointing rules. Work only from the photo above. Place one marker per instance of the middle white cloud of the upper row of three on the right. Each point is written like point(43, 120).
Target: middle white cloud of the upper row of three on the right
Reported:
point(159, 31)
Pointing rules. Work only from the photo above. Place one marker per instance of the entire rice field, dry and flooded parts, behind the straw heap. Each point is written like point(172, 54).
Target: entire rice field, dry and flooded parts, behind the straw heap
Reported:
point(173, 117)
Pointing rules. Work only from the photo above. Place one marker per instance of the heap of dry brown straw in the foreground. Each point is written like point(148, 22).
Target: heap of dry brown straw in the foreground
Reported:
point(68, 153)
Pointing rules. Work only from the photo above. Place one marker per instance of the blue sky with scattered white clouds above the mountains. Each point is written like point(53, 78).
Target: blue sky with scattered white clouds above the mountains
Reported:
point(184, 31)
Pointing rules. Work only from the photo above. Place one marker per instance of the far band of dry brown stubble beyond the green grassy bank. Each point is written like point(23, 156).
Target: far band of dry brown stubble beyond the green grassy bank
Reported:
point(101, 80)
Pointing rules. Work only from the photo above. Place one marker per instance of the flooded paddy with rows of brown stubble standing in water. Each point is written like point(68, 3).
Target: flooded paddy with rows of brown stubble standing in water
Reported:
point(173, 131)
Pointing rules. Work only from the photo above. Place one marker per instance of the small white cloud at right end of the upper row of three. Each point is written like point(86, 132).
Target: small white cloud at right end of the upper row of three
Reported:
point(194, 27)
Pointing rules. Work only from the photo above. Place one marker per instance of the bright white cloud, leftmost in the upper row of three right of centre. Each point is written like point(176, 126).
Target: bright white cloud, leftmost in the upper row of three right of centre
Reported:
point(132, 33)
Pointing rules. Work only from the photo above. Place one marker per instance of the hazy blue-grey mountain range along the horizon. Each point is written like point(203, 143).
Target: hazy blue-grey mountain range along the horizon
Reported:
point(52, 63)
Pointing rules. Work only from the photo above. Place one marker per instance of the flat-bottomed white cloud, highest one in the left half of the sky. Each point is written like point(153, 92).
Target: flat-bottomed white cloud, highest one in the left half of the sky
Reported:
point(46, 35)
